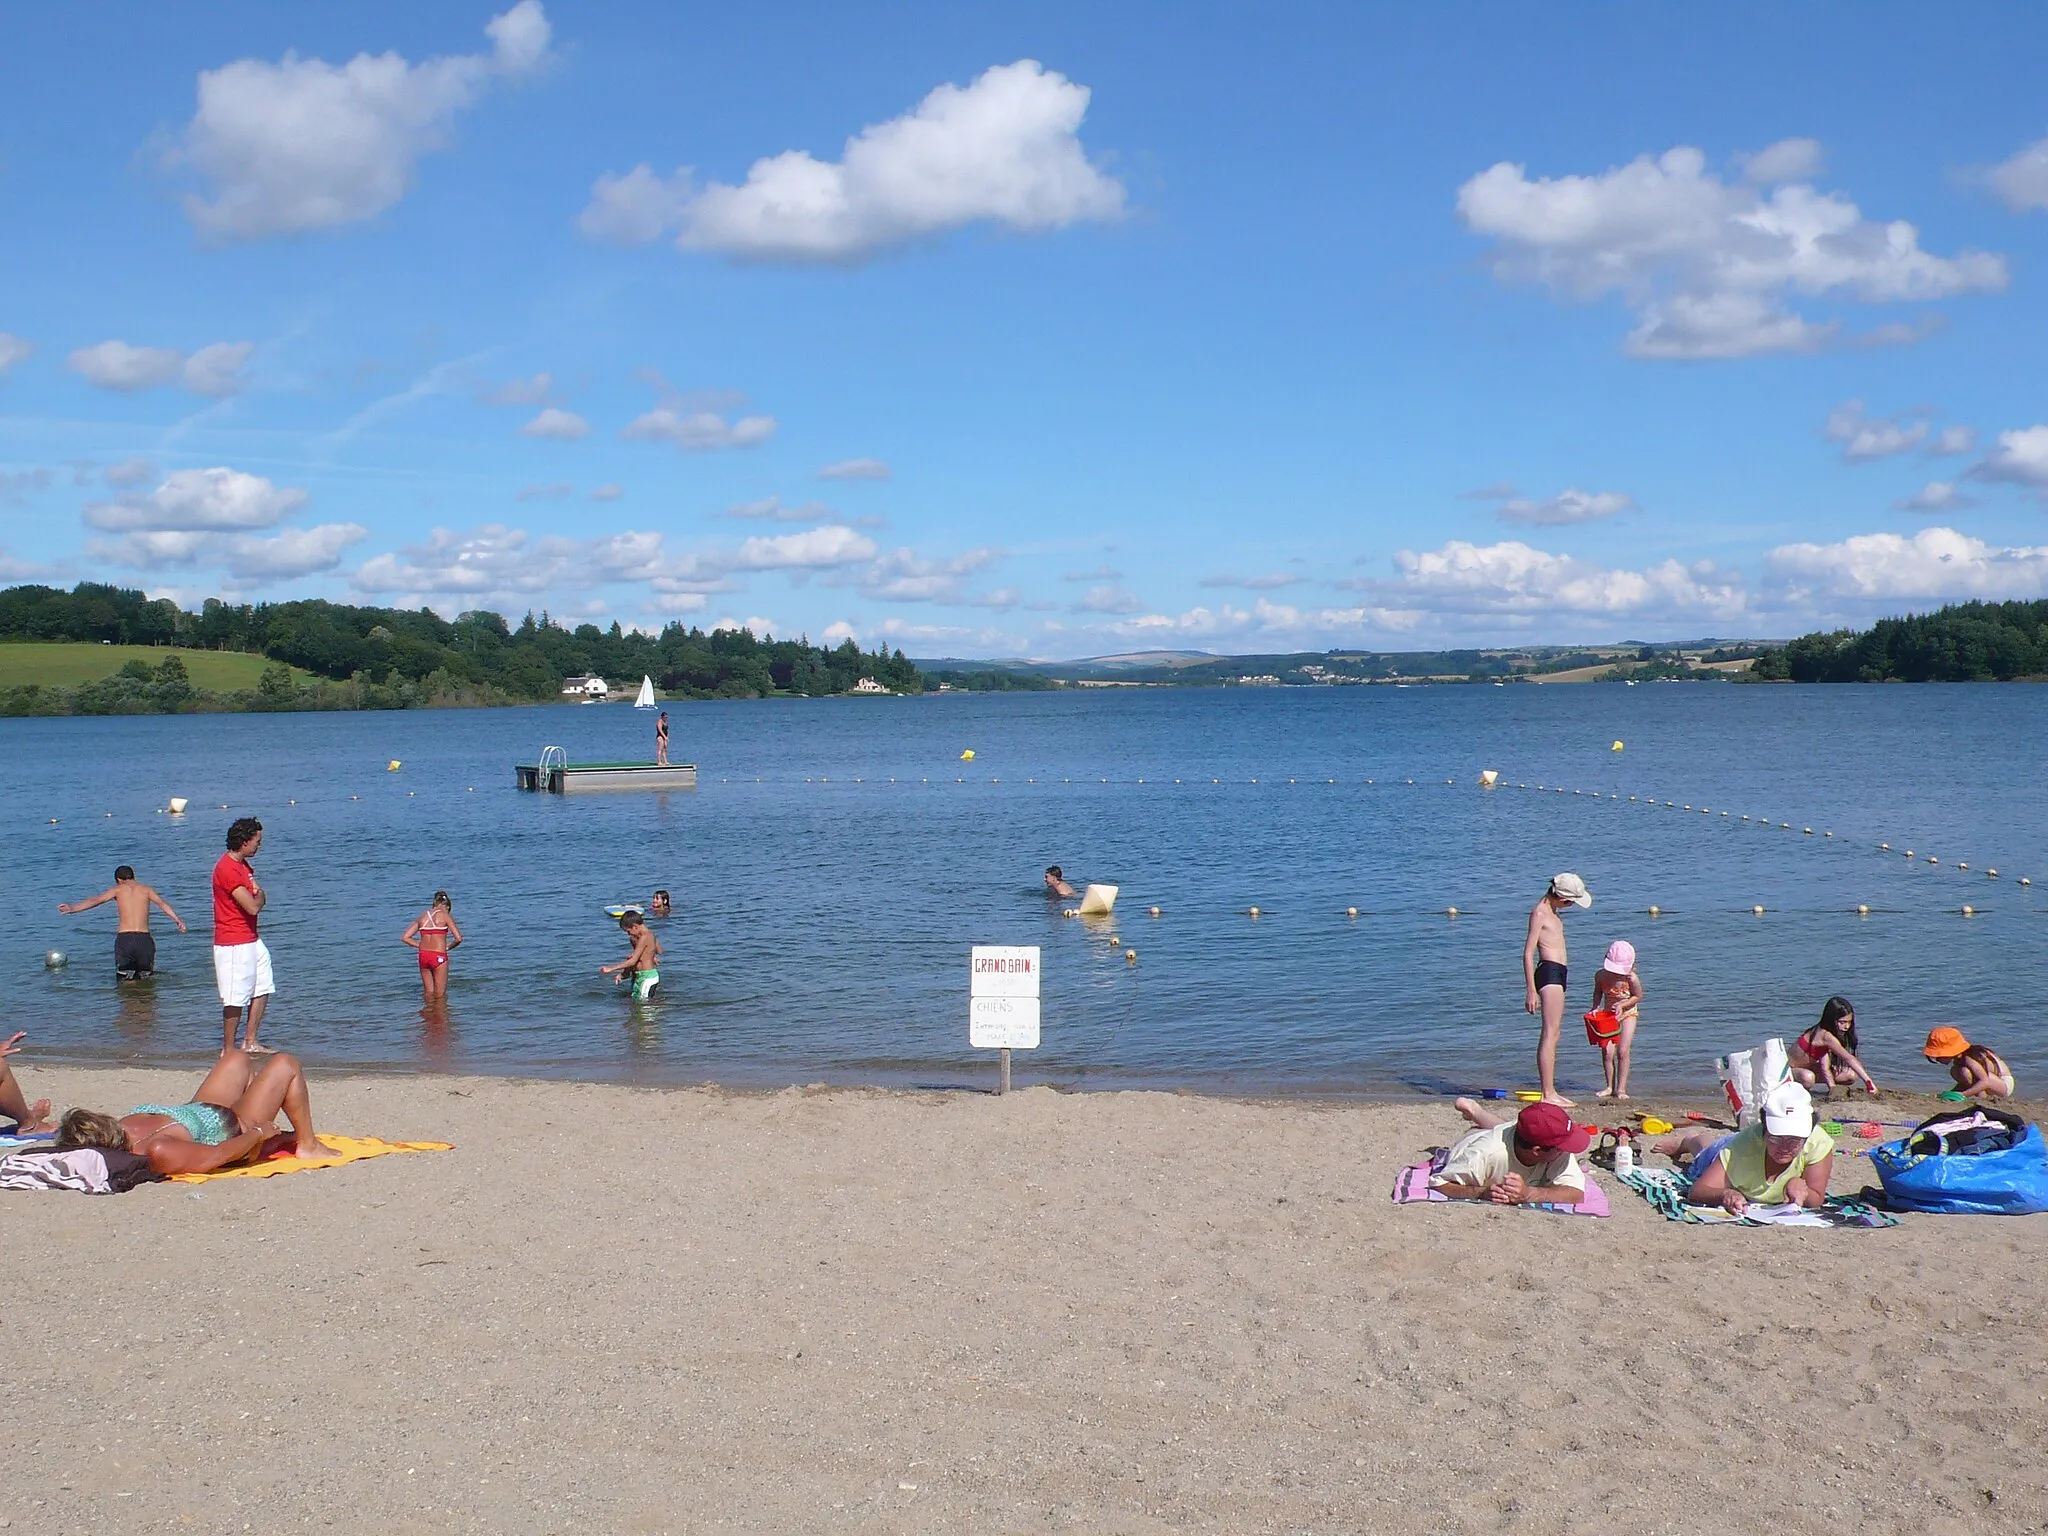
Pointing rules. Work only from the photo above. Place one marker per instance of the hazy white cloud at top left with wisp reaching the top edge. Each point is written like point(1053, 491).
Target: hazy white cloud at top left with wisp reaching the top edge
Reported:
point(304, 144)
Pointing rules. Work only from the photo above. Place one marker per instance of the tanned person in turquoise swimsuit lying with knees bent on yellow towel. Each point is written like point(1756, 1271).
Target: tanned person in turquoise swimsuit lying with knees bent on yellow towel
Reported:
point(230, 1119)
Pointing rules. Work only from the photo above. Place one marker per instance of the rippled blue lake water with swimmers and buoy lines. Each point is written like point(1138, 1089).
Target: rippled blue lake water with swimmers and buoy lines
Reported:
point(839, 861)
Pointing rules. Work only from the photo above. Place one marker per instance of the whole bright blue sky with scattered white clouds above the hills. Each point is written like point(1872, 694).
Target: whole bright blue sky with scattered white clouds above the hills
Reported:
point(1033, 329)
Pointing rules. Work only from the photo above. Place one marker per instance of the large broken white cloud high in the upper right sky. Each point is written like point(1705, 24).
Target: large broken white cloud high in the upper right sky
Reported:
point(1711, 267)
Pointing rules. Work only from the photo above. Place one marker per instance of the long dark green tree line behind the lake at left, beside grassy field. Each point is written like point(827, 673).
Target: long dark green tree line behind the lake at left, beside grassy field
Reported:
point(398, 658)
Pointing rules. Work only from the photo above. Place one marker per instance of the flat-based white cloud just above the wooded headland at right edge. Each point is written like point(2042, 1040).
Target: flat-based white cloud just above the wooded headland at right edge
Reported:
point(1930, 566)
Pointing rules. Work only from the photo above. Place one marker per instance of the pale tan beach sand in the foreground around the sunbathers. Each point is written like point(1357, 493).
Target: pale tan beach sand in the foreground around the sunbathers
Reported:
point(689, 1310)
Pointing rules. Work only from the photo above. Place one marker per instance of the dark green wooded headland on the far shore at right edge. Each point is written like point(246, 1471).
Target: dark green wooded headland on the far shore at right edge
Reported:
point(1965, 642)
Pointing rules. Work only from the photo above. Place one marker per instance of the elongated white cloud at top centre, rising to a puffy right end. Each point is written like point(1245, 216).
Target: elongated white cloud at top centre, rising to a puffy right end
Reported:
point(1002, 151)
